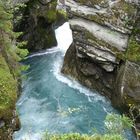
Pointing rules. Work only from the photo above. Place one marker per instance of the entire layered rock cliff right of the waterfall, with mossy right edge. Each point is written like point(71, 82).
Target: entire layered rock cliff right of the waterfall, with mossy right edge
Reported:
point(105, 53)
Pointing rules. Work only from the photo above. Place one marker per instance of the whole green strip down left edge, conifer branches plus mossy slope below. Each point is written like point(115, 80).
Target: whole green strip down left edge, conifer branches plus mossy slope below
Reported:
point(10, 53)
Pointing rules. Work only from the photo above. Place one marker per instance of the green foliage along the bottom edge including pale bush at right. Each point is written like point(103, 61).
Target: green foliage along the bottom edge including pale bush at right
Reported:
point(115, 126)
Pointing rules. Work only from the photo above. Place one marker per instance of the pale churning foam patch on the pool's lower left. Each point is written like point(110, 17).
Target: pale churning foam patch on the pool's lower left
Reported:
point(35, 105)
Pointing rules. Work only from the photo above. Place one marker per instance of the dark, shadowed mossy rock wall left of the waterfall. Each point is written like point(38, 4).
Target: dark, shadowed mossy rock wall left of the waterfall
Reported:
point(37, 24)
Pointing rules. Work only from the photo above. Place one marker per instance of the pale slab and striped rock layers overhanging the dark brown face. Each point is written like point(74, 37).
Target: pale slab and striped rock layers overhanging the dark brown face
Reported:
point(98, 43)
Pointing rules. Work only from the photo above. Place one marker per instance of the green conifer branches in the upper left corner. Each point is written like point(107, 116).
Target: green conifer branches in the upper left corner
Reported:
point(7, 37)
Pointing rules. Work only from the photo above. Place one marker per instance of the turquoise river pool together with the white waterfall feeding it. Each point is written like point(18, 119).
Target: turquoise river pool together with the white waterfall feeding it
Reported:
point(55, 103)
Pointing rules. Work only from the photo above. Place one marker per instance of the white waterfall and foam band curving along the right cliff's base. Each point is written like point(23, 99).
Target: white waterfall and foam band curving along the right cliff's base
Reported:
point(64, 39)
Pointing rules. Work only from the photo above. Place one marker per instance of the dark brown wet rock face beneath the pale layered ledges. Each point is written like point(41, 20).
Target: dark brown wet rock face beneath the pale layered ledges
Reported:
point(88, 72)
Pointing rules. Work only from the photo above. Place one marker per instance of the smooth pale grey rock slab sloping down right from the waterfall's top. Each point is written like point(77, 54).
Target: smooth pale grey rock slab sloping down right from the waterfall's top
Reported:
point(114, 38)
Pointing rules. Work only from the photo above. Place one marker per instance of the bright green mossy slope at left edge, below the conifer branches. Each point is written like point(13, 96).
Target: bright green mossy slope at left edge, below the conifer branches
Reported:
point(8, 89)
